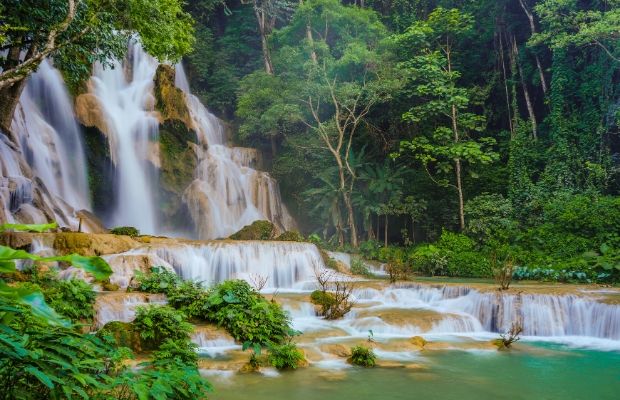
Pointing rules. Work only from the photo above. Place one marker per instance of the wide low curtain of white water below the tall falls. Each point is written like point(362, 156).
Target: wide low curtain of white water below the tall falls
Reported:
point(288, 266)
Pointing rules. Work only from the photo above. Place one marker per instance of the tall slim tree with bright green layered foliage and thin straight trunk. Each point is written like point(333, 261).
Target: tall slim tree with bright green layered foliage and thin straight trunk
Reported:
point(442, 112)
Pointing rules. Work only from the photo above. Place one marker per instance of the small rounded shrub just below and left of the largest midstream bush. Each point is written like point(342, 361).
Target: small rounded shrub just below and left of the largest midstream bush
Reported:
point(157, 323)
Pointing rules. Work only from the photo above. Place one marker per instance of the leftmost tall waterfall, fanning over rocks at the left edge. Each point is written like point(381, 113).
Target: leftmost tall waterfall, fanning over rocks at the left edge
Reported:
point(43, 174)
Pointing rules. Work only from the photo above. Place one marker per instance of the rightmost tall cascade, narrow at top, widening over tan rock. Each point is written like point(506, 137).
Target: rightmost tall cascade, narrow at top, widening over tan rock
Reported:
point(227, 193)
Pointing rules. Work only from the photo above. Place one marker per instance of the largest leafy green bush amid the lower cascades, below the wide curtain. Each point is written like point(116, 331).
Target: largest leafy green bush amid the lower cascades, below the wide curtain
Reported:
point(245, 313)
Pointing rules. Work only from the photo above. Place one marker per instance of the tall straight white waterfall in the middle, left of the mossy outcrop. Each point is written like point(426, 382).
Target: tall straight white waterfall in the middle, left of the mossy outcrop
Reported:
point(125, 95)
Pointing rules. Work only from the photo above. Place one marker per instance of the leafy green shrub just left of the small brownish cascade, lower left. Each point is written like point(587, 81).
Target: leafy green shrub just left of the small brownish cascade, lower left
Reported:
point(72, 298)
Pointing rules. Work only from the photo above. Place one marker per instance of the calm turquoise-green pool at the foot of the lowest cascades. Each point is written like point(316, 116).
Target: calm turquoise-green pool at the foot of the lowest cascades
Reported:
point(541, 372)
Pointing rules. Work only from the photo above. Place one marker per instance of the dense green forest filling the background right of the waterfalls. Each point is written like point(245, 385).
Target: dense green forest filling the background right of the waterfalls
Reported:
point(399, 120)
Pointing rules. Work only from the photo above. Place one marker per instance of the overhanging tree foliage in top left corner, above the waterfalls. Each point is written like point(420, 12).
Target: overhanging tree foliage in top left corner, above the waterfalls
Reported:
point(99, 31)
